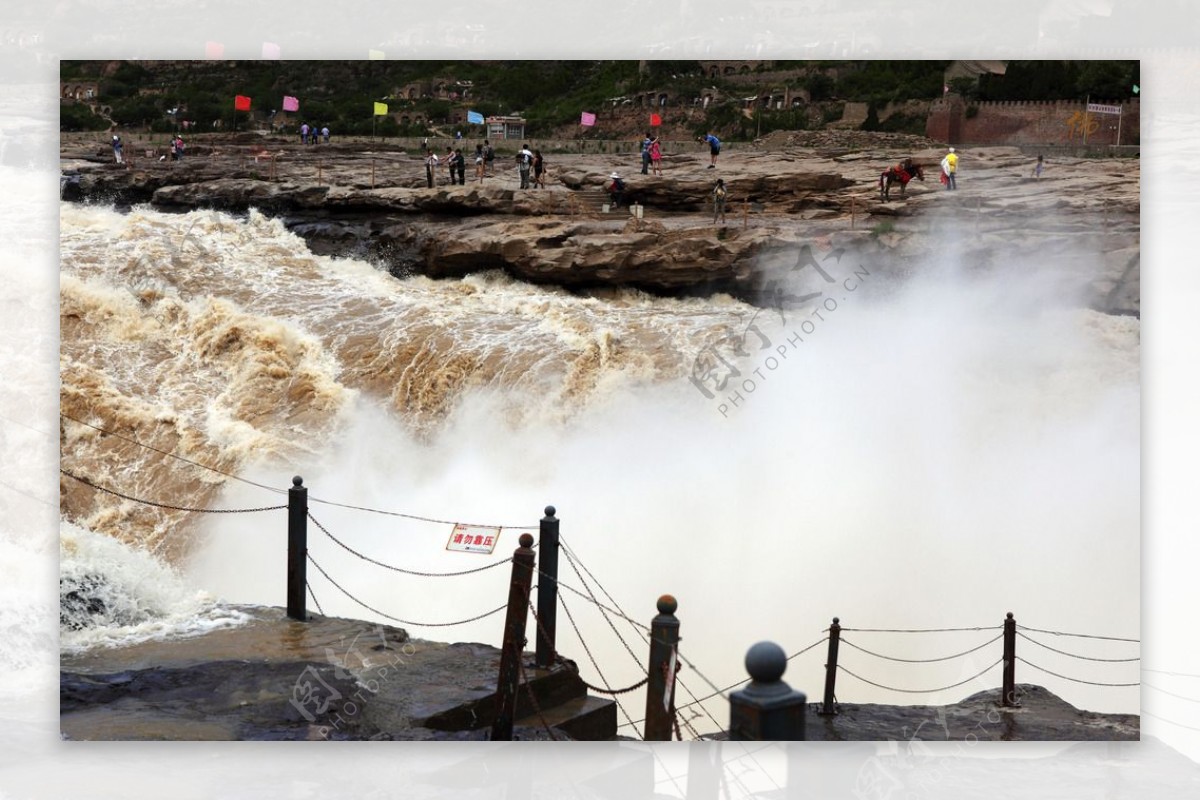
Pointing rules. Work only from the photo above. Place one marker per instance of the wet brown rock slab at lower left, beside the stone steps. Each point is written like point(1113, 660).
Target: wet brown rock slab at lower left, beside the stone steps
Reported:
point(278, 679)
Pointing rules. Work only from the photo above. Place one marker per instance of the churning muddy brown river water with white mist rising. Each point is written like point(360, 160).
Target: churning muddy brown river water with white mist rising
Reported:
point(932, 454)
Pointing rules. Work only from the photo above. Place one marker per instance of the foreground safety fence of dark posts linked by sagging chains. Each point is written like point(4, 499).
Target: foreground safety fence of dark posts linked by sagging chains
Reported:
point(763, 707)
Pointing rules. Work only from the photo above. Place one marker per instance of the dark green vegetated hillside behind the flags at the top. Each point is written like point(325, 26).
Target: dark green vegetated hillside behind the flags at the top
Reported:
point(550, 95)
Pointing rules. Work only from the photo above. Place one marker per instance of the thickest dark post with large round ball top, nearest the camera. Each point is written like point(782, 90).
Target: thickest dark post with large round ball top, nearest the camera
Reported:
point(769, 709)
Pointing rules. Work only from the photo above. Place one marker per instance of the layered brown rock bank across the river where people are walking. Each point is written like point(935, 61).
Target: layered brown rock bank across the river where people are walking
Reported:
point(371, 202)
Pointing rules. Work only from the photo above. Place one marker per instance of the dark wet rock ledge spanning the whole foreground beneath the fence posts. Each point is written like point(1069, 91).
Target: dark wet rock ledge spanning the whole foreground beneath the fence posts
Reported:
point(338, 679)
